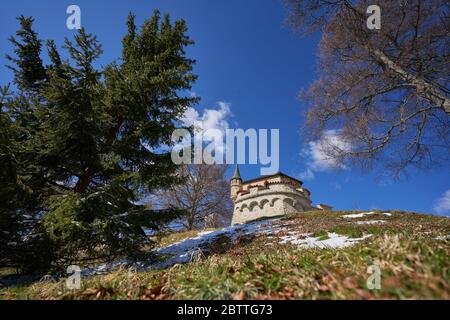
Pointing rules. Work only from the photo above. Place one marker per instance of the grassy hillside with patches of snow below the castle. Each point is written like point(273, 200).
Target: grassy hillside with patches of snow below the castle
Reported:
point(313, 255)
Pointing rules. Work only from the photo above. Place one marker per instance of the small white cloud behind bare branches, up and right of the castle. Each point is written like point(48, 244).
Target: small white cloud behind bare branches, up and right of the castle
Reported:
point(319, 154)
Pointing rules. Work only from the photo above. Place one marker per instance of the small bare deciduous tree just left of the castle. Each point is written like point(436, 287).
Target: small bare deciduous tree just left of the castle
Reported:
point(204, 194)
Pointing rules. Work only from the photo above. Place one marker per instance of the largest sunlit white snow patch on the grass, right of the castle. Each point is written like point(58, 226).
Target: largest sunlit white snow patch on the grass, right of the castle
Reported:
point(334, 241)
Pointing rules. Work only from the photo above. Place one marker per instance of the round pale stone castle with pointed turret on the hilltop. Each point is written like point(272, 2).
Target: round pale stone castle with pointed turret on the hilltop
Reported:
point(268, 196)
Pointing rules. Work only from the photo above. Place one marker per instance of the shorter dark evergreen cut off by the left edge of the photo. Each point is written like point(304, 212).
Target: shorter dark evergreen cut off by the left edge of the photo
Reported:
point(22, 245)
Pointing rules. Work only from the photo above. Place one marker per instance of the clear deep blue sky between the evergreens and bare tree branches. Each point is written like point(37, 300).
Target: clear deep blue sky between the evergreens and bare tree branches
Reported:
point(250, 62)
